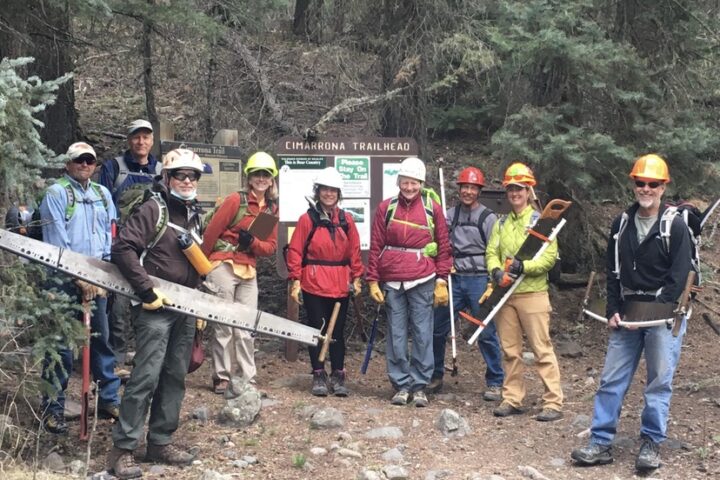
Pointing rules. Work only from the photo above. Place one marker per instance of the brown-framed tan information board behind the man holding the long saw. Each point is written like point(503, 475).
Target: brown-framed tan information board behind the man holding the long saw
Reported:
point(225, 167)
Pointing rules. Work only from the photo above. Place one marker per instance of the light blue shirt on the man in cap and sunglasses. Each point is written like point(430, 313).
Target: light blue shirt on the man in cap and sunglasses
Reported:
point(88, 230)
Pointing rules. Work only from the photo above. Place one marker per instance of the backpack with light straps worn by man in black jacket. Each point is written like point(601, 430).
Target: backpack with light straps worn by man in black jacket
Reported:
point(694, 220)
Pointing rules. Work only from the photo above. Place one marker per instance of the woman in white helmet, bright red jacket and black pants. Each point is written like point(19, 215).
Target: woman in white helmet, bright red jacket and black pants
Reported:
point(324, 261)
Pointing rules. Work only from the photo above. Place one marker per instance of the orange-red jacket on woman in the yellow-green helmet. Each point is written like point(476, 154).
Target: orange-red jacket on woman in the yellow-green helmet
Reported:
point(219, 229)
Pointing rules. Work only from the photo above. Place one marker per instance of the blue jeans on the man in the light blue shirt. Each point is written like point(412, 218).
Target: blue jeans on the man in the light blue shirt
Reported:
point(102, 364)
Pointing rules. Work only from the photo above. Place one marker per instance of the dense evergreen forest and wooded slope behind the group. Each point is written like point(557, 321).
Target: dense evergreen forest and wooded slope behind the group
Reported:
point(575, 88)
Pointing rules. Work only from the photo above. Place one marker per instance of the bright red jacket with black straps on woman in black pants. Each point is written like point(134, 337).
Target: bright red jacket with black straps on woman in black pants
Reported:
point(332, 281)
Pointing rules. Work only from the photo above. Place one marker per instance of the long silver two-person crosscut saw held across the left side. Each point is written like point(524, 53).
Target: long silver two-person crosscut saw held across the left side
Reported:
point(184, 300)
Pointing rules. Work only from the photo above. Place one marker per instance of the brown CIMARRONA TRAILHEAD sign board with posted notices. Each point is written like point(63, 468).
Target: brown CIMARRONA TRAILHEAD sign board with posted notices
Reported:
point(368, 166)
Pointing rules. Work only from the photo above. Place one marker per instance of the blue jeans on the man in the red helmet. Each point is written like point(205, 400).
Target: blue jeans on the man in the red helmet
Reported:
point(467, 290)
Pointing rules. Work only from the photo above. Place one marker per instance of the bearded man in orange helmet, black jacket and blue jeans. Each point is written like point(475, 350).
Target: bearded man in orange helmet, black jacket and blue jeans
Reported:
point(645, 267)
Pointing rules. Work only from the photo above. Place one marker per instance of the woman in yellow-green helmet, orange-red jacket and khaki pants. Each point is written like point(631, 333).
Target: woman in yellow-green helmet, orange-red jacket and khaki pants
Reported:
point(232, 250)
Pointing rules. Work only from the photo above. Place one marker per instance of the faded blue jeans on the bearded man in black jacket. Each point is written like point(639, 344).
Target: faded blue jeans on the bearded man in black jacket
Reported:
point(662, 354)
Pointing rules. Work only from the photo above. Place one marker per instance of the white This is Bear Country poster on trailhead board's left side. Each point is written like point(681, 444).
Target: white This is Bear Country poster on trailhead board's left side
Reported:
point(297, 175)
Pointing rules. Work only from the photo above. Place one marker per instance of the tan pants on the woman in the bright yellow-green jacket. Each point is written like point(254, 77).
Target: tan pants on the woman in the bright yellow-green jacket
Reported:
point(528, 313)
